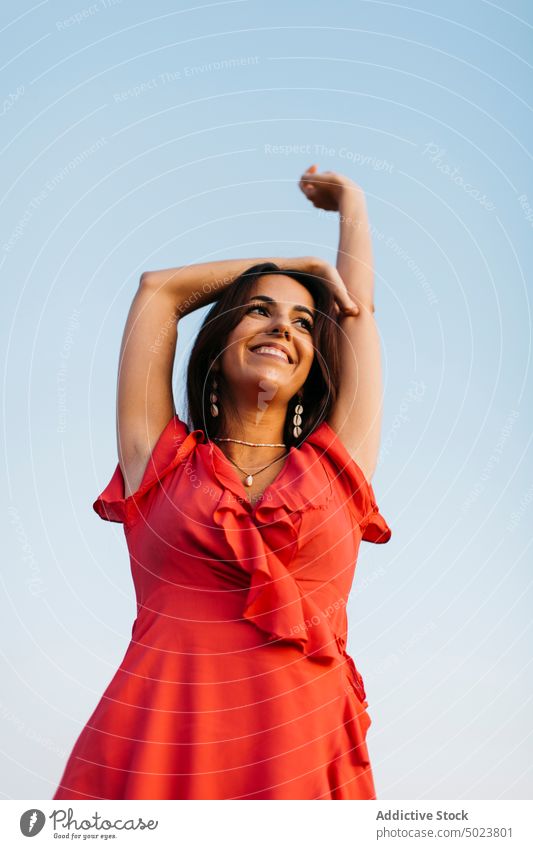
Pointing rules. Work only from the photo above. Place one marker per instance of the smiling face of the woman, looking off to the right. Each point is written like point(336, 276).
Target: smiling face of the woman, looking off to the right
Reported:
point(271, 349)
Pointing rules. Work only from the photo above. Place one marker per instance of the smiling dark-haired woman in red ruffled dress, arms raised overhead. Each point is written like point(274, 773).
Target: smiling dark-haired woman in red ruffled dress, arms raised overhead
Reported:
point(243, 530)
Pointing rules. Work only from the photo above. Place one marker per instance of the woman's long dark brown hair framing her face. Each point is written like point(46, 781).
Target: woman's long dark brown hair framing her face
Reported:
point(320, 389)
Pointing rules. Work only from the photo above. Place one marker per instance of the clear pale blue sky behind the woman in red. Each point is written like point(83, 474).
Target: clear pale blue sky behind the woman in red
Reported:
point(138, 136)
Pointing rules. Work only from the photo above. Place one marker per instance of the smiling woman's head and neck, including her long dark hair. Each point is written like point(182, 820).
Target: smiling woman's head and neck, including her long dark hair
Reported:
point(266, 304)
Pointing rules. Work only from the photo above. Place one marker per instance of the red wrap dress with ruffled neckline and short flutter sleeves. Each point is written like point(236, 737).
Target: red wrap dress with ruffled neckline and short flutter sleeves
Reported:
point(236, 683)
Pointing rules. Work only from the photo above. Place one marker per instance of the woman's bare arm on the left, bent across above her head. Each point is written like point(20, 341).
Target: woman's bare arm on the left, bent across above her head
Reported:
point(145, 402)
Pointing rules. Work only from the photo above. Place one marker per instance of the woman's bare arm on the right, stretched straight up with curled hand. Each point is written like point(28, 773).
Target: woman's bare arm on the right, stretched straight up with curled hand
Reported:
point(356, 415)
